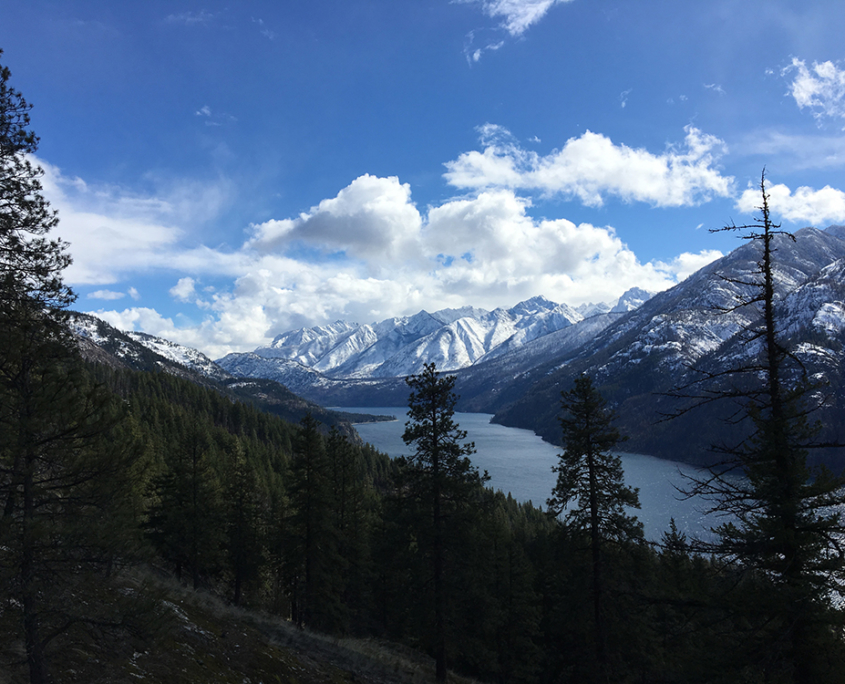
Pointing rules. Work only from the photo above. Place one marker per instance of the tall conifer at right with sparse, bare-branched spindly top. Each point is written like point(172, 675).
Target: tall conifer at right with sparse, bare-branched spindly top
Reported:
point(785, 524)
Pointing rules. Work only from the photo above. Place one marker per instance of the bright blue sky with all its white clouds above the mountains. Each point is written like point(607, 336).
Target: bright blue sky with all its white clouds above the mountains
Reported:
point(228, 171)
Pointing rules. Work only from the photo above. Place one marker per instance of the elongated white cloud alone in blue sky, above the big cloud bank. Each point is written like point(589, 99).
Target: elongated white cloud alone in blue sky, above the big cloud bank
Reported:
point(592, 167)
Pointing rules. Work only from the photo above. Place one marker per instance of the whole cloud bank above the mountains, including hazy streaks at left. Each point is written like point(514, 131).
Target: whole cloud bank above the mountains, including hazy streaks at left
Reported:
point(365, 254)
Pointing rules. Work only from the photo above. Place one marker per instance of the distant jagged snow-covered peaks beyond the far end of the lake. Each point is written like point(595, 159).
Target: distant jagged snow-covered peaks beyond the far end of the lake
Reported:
point(398, 347)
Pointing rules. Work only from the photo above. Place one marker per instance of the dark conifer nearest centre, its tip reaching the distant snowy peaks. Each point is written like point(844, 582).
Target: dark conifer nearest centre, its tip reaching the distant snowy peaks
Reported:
point(440, 479)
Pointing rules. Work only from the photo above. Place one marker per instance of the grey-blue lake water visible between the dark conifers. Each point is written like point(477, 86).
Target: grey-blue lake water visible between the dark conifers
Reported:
point(519, 462)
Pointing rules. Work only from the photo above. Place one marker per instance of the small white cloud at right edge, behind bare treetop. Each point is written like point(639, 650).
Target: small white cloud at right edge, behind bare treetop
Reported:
point(805, 205)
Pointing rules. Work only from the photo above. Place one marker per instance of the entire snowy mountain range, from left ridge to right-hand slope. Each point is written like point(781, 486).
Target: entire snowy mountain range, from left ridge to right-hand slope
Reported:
point(515, 362)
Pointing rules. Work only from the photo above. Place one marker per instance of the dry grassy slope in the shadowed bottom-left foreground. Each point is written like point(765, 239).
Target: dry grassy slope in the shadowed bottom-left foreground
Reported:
point(195, 637)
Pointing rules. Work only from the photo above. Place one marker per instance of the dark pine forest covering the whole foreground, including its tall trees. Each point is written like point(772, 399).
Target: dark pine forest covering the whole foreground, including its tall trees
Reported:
point(113, 479)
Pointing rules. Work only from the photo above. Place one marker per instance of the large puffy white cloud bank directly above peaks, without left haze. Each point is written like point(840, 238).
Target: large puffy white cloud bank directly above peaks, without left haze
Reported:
point(368, 254)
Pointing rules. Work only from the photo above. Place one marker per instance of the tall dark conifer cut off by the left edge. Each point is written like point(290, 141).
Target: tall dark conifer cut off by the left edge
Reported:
point(65, 461)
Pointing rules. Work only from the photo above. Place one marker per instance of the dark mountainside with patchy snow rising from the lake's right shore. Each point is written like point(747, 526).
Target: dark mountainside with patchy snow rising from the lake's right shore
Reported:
point(645, 353)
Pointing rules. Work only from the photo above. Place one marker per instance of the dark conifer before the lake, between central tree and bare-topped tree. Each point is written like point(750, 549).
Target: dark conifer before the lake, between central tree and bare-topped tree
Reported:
point(590, 492)
